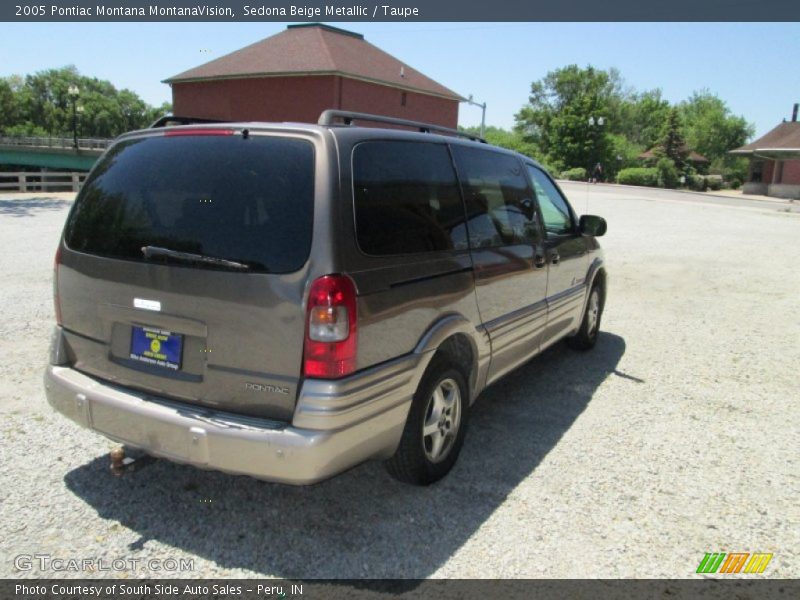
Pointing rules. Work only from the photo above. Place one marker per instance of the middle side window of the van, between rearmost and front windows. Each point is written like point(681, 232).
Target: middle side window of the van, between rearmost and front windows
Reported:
point(499, 201)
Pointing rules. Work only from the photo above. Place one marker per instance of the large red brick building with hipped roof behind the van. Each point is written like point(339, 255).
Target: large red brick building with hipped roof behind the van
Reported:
point(298, 73)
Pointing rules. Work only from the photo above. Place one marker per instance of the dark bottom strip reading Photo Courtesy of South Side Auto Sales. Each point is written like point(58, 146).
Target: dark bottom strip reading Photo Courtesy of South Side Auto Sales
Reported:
point(400, 589)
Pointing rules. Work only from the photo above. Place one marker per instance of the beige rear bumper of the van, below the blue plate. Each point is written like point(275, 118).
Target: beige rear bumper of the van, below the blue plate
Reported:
point(231, 443)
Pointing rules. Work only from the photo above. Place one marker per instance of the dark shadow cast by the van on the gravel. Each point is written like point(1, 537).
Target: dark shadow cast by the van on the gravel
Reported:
point(362, 523)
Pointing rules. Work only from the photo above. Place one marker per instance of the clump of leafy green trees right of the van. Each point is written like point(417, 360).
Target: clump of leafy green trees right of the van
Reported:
point(555, 122)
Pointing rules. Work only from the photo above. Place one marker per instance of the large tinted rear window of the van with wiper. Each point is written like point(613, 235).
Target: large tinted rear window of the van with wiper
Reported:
point(243, 199)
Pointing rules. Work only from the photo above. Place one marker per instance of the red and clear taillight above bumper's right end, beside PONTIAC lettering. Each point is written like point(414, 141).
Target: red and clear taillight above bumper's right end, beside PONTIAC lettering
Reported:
point(330, 344)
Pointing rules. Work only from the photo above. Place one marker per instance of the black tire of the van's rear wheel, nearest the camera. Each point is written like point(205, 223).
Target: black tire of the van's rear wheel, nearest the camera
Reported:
point(413, 462)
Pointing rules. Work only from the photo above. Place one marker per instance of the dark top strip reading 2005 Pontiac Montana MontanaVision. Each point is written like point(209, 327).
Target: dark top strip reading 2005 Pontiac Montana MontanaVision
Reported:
point(401, 10)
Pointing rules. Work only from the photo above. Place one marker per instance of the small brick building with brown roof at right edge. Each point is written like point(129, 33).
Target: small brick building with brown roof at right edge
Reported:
point(775, 161)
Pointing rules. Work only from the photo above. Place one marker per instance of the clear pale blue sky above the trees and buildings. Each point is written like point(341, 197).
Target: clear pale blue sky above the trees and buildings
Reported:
point(752, 66)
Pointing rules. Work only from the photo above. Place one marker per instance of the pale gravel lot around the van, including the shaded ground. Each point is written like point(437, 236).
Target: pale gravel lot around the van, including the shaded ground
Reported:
point(678, 435)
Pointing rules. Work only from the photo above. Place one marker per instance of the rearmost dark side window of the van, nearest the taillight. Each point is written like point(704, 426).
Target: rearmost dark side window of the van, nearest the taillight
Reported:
point(406, 199)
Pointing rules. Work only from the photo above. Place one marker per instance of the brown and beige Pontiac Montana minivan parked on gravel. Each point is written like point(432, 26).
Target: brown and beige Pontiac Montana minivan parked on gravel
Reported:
point(289, 300)
